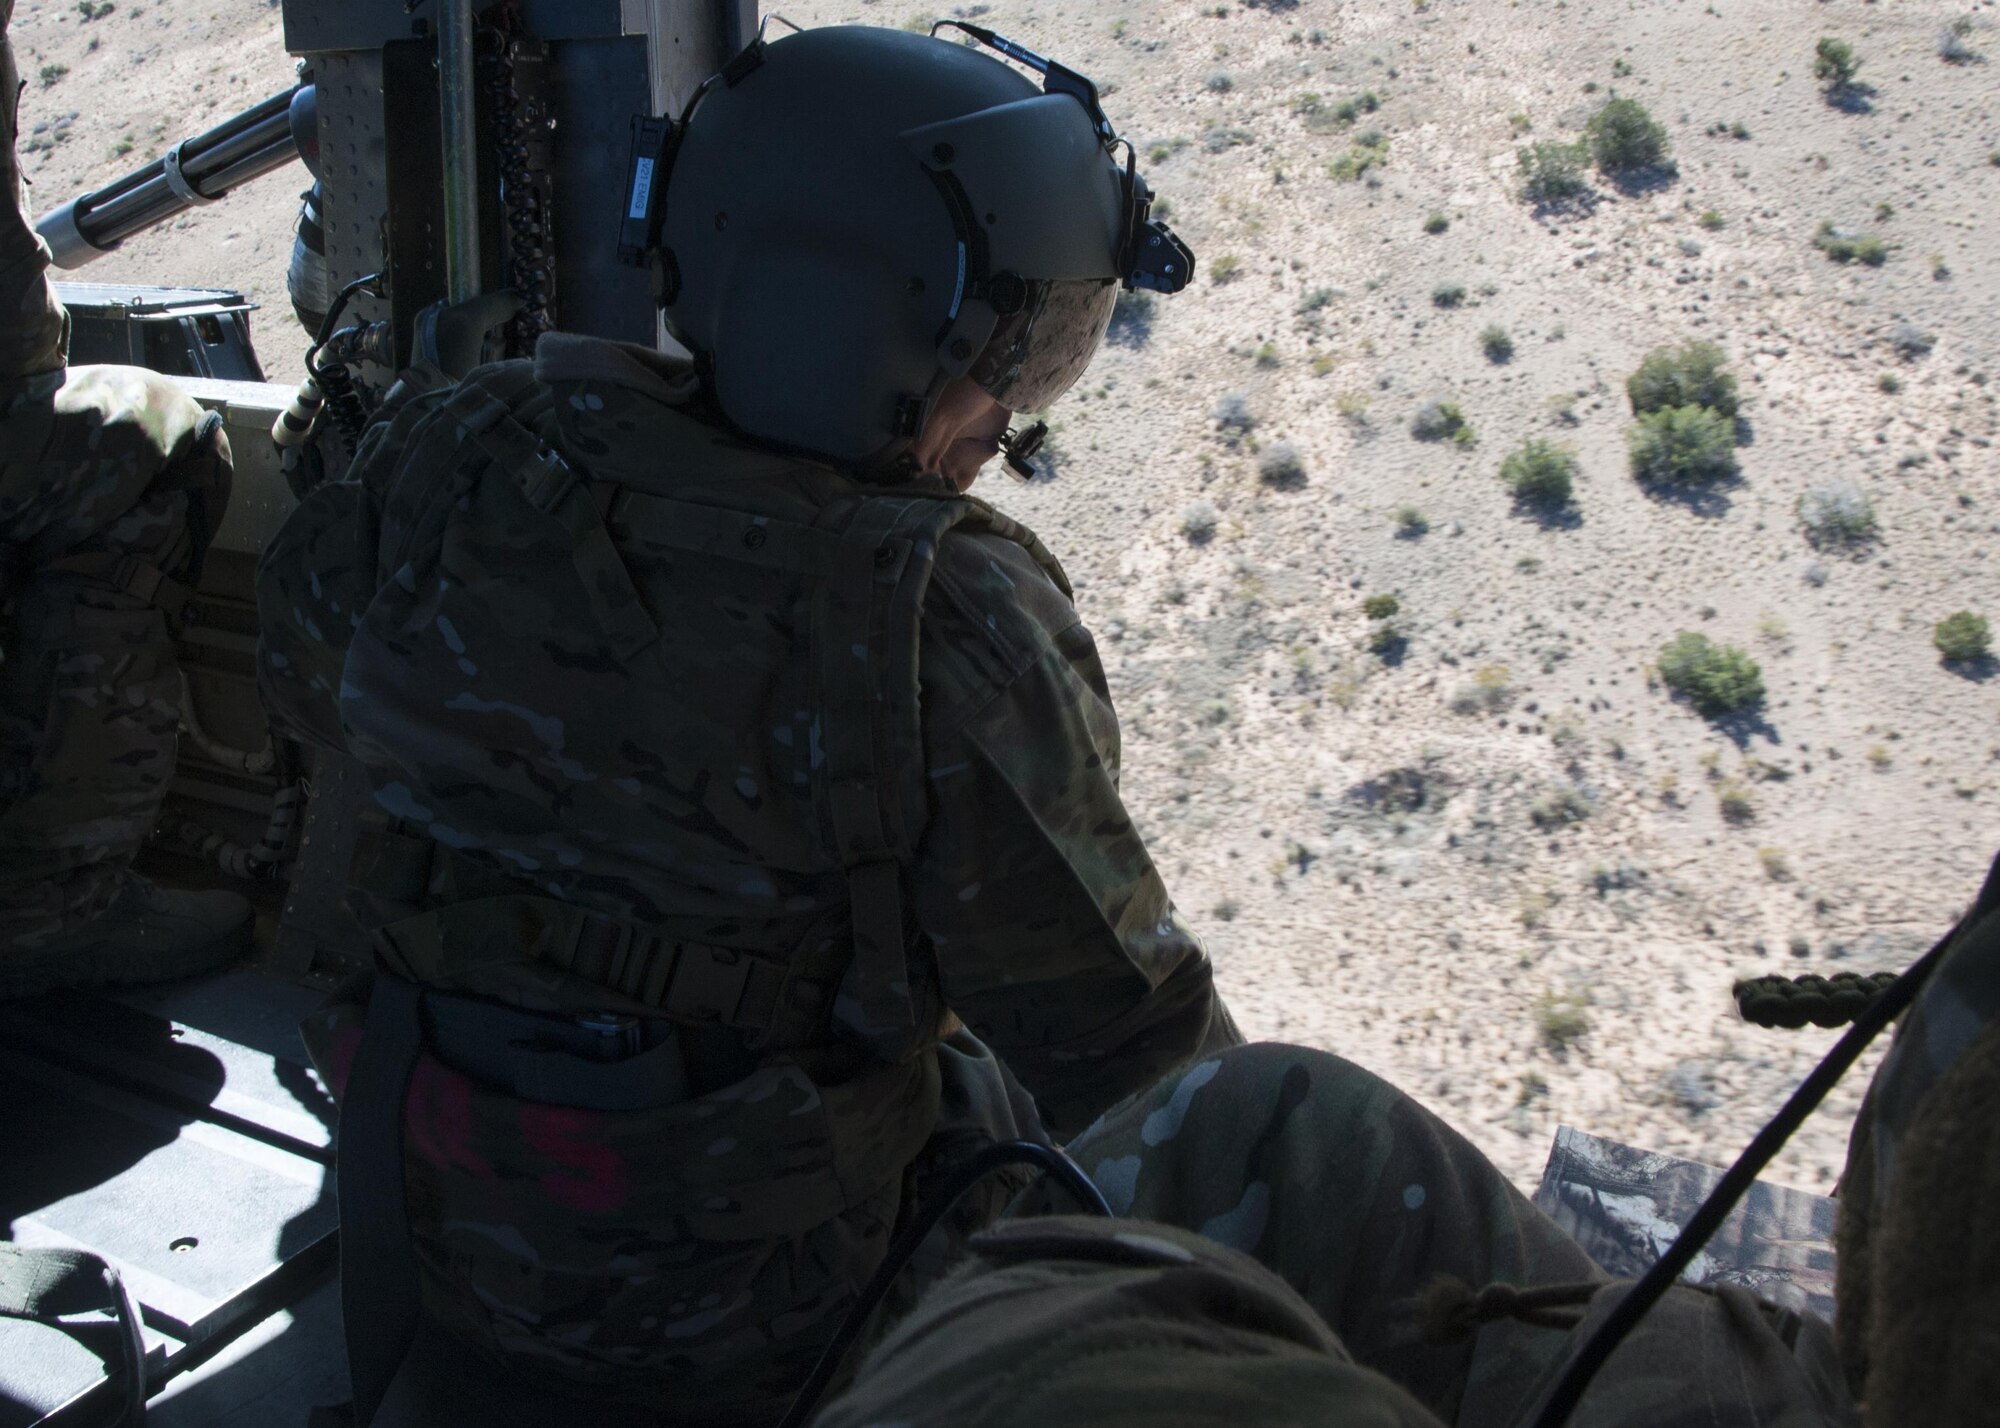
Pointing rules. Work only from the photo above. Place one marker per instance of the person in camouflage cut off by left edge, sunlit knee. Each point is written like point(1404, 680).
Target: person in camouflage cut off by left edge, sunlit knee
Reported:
point(111, 485)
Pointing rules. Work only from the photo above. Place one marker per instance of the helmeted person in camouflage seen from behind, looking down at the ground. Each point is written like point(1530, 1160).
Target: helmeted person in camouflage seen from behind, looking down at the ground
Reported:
point(751, 843)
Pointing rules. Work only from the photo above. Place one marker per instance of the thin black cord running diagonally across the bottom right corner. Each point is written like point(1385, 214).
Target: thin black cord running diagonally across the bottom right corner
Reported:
point(1739, 1179)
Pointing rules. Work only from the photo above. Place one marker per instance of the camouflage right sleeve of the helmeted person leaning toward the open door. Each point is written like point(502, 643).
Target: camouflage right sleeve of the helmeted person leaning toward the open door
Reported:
point(1055, 937)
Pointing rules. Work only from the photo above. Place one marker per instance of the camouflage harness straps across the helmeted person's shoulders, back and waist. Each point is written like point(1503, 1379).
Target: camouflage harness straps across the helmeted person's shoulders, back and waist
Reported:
point(475, 465)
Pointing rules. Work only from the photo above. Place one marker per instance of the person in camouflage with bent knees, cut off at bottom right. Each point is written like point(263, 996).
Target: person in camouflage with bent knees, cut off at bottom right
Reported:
point(1299, 1245)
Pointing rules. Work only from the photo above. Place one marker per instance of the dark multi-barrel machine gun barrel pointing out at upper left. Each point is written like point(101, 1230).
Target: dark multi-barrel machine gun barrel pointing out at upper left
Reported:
point(193, 173)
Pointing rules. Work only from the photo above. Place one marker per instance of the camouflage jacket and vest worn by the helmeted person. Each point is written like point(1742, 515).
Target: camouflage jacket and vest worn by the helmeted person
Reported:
point(655, 715)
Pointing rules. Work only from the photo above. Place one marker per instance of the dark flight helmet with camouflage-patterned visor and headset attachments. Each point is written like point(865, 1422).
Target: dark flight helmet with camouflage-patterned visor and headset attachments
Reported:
point(847, 219)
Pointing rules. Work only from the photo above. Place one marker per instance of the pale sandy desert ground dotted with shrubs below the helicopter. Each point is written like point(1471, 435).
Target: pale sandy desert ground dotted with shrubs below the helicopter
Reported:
point(1487, 853)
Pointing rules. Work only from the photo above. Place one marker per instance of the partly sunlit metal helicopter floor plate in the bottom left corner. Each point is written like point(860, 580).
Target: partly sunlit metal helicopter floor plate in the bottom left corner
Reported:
point(183, 1137)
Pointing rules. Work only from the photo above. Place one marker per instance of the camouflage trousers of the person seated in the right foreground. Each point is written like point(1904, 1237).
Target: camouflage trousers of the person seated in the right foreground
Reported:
point(1321, 1205)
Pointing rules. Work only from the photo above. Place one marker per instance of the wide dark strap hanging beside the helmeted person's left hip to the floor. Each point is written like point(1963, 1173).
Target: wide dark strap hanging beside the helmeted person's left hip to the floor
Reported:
point(377, 1259)
